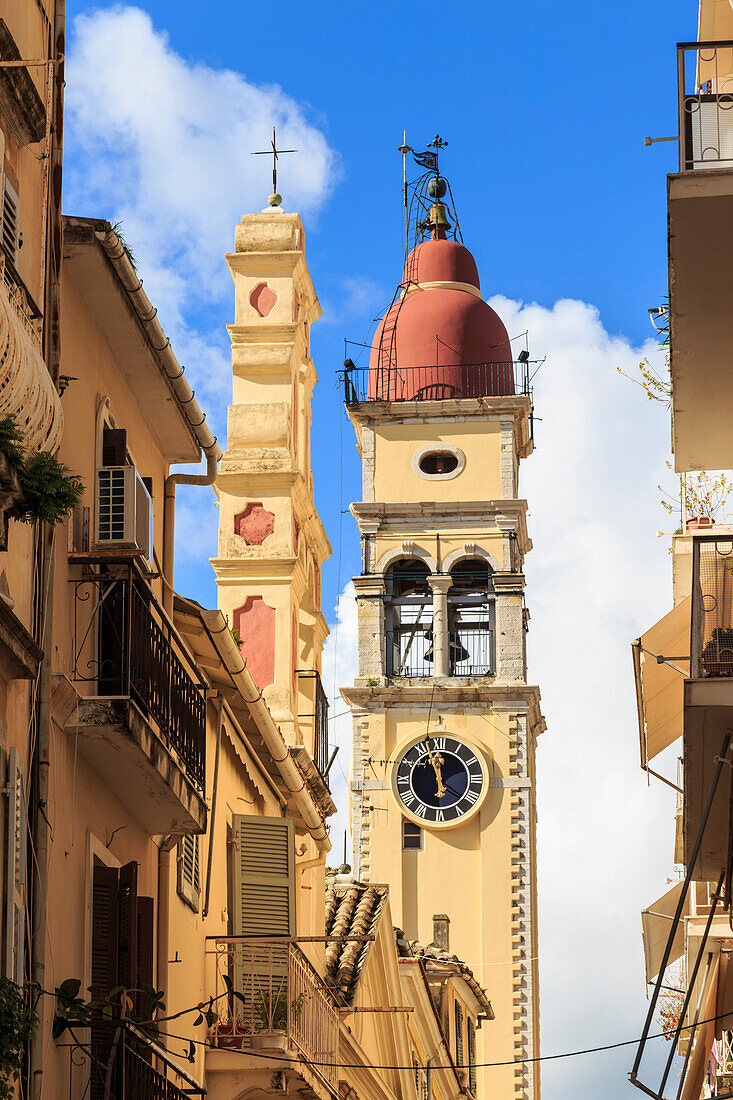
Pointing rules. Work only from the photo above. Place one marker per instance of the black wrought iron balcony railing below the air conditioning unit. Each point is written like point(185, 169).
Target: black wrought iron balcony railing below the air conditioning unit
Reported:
point(126, 647)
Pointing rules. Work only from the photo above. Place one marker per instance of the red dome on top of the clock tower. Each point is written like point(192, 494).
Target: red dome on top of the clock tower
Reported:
point(441, 339)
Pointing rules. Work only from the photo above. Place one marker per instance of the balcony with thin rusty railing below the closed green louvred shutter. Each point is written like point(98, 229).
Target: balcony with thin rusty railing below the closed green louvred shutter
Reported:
point(272, 1002)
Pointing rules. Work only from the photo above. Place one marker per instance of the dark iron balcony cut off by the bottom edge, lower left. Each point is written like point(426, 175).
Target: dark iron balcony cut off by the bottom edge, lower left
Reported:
point(127, 1065)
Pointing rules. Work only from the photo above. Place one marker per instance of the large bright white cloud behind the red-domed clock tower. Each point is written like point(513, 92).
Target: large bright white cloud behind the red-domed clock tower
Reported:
point(597, 577)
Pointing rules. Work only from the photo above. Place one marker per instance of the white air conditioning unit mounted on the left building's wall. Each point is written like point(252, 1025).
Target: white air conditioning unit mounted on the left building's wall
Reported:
point(124, 516)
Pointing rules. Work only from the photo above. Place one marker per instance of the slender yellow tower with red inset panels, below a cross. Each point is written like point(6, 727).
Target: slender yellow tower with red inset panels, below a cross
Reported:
point(272, 544)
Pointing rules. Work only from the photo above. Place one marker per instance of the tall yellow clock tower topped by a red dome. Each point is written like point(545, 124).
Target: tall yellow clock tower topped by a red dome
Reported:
point(445, 723)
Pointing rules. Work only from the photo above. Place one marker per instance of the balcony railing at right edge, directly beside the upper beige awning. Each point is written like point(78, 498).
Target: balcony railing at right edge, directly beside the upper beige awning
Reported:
point(713, 607)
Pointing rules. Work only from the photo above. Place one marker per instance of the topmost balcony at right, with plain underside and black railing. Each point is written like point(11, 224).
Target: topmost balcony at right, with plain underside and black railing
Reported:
point(701, 224)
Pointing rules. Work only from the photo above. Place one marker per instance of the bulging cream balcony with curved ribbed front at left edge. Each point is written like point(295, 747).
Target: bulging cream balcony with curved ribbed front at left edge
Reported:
point(27, 392)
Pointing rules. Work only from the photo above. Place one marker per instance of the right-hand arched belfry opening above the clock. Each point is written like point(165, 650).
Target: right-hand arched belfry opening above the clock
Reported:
point(472, 620)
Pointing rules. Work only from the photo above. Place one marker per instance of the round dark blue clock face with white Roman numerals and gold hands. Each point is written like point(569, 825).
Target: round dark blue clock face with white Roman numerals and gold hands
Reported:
point(440, 780)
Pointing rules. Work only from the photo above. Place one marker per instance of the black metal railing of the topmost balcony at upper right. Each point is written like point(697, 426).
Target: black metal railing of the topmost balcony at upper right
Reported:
point(705, 82)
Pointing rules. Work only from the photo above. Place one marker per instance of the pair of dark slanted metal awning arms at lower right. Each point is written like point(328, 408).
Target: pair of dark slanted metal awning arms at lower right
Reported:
point(659, 1094)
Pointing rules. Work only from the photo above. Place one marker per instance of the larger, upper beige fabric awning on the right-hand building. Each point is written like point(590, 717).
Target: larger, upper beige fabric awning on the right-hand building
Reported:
point(660, 687)
